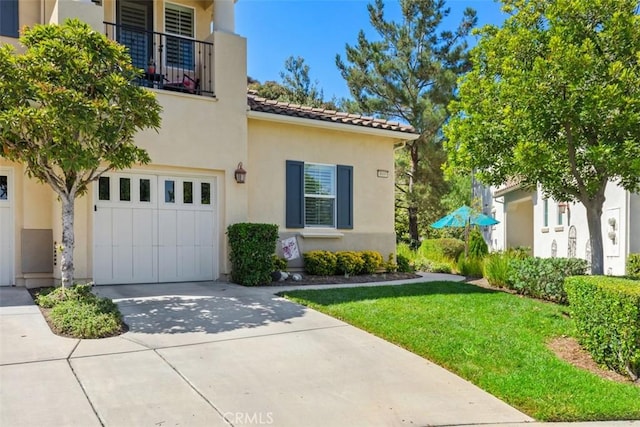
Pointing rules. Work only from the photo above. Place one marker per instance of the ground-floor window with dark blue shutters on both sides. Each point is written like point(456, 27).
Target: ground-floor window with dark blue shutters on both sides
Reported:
point(319, 195)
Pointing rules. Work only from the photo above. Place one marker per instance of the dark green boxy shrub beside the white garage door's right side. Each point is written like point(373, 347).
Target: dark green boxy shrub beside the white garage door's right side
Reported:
point(251, 249)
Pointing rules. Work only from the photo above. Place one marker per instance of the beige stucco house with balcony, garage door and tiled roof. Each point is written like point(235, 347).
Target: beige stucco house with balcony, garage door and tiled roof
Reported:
point(325, 178)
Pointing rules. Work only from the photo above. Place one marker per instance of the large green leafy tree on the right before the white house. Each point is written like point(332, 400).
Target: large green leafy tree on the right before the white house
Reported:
point(554, 100)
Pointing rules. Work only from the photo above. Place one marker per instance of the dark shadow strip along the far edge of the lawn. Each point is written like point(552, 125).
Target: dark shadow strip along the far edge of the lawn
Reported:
point(333, 296)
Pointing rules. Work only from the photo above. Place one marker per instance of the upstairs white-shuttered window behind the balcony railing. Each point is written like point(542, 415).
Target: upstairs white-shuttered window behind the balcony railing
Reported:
point(179, 20)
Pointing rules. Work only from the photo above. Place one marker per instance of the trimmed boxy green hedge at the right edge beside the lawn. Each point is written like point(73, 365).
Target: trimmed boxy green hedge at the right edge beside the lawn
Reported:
point(606, 311)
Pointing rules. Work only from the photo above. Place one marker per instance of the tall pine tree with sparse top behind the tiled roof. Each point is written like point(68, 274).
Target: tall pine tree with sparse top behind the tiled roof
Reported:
point(410, 74)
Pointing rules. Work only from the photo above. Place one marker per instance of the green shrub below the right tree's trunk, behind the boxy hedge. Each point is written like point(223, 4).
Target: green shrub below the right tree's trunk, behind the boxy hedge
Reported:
point(544, 277)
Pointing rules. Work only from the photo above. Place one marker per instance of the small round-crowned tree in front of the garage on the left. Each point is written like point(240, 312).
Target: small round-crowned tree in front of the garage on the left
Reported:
point(69, 113)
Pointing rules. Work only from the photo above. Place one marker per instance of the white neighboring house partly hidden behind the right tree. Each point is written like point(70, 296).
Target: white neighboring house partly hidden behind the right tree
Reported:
point(552, 229)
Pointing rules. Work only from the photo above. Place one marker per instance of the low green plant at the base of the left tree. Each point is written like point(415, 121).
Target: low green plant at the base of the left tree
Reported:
point(76, 312)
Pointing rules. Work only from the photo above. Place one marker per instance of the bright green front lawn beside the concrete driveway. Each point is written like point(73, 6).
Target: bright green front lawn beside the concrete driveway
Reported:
point(494, 339)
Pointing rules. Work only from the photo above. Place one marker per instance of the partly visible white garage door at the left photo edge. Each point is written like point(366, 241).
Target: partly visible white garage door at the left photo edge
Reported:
point(6, 228)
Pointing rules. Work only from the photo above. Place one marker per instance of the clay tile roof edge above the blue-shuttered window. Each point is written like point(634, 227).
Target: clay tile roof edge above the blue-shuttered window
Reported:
point(263, 105)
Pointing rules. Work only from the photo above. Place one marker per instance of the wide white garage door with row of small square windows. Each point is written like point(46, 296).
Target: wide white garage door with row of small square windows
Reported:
point(150, 229)
